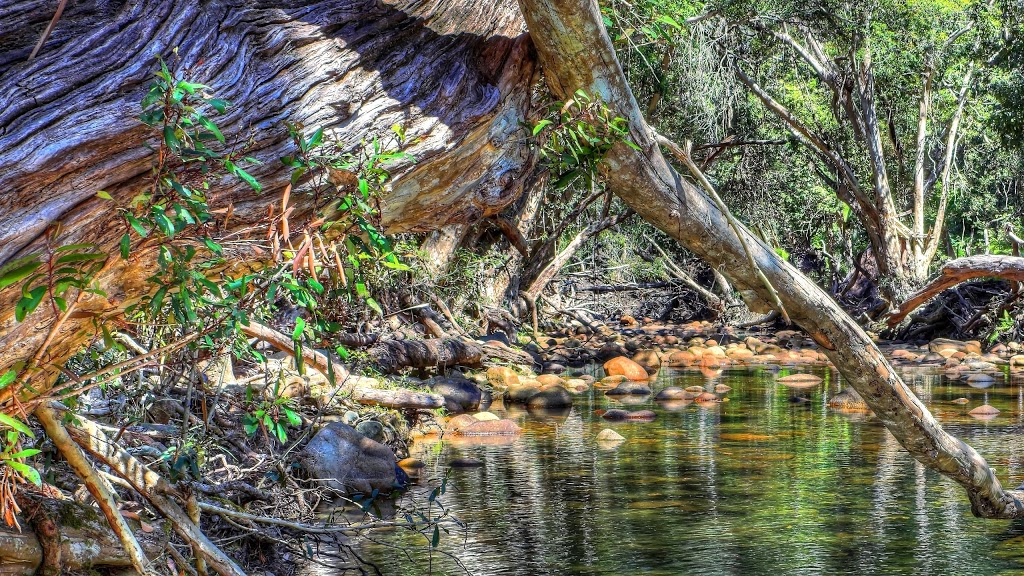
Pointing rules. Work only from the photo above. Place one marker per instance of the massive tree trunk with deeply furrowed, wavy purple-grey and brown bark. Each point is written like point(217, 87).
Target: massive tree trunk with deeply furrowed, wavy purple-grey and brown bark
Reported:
point(456, 74)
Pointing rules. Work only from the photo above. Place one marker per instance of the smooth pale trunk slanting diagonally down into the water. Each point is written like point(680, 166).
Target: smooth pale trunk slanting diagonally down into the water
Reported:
point(577, 54)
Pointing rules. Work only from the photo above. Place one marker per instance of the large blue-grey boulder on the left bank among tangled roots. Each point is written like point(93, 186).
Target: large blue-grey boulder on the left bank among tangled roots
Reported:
point(347, 461)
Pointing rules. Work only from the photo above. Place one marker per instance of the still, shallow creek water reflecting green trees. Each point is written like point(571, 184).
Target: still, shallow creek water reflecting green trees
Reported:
point(772, 482)
